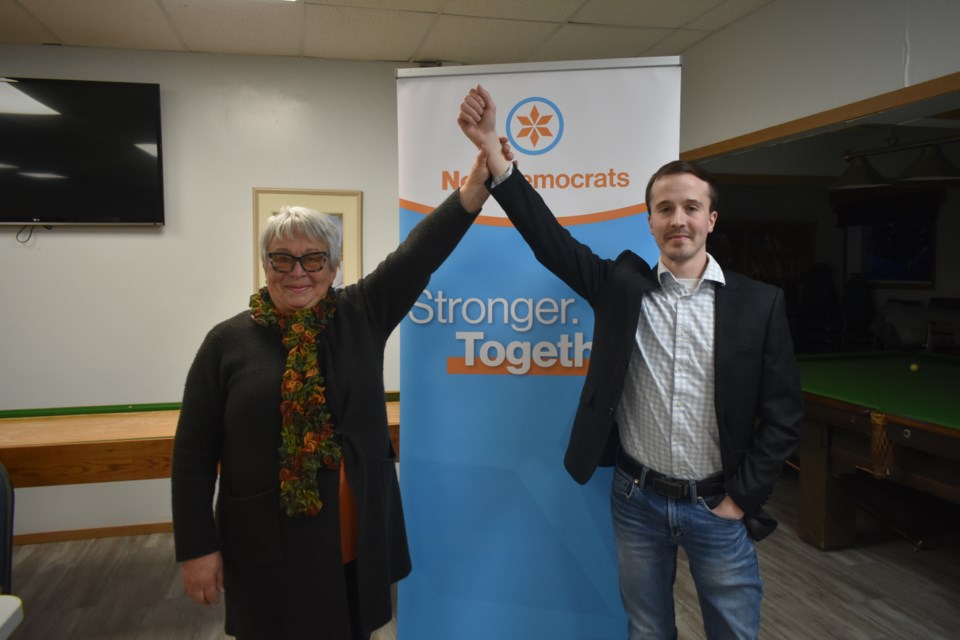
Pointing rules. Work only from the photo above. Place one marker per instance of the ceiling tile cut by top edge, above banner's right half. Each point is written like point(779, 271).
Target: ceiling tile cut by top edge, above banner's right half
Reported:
point(643, 13)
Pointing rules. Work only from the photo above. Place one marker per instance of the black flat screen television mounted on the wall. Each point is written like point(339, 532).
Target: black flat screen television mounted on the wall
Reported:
point(75, 152)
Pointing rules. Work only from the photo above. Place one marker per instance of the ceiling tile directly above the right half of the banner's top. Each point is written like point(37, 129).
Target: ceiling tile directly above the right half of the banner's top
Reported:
point(586, 42)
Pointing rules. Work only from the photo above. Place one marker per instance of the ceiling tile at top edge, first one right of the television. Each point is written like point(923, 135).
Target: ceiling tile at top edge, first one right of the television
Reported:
point(229, 26)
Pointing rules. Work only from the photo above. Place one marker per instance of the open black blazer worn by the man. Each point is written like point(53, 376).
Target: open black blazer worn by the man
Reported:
point(759, 404)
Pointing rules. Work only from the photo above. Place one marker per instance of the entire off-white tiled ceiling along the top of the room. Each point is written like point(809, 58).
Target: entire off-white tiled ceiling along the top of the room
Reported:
point(465, 31)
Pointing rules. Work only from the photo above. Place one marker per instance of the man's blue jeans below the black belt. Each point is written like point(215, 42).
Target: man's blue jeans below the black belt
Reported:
point(648, 529)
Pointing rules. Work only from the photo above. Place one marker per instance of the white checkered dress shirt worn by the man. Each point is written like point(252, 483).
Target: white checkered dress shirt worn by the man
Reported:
point(666, 415)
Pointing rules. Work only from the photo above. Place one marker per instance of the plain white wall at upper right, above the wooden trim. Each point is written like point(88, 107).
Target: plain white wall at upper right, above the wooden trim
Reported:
point(795, 58)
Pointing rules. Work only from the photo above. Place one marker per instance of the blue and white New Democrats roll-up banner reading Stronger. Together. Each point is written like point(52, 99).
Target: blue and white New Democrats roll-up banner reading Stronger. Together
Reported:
point(504, 543)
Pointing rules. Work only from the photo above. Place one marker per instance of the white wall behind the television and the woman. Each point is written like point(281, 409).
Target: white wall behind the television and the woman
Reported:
point(114, 316)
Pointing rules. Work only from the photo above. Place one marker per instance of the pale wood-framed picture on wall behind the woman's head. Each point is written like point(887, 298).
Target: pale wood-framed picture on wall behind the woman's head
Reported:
point(344, 206)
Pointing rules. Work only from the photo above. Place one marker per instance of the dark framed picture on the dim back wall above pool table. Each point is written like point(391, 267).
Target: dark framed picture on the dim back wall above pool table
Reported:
point(901, 252)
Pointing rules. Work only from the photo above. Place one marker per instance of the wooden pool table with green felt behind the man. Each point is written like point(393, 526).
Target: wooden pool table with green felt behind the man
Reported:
point(893, 415)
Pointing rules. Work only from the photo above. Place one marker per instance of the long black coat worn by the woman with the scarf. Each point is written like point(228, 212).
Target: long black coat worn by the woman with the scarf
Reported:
point(284, 576)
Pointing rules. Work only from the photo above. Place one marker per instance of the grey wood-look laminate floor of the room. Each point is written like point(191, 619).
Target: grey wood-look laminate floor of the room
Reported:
point(881, 589)
